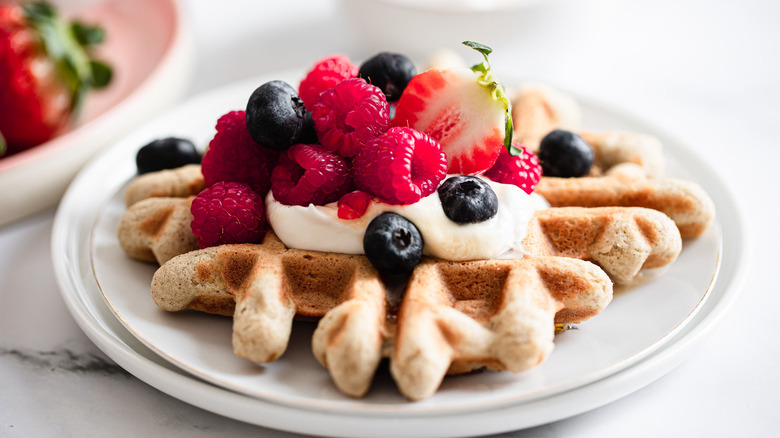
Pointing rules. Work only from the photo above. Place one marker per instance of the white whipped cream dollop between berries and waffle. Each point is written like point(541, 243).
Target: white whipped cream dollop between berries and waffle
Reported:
point(318, 227)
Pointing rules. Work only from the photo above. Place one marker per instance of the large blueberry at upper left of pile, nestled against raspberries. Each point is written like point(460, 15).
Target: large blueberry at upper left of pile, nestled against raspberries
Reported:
point(275, 116)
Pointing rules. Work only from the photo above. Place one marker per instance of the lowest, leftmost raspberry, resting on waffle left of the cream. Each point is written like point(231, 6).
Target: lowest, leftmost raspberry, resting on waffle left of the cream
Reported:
point(228, 212)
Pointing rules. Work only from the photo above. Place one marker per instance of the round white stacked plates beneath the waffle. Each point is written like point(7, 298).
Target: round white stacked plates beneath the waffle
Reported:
point(639, 337)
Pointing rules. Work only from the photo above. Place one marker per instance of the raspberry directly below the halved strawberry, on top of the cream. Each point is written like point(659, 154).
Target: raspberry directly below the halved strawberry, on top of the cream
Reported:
point(400, 167)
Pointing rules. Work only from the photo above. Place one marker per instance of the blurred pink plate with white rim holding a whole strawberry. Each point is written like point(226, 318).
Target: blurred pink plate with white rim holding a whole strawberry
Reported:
point(149, 45)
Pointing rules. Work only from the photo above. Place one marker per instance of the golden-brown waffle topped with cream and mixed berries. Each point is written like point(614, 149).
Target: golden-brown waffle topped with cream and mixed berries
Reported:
point(447, 317)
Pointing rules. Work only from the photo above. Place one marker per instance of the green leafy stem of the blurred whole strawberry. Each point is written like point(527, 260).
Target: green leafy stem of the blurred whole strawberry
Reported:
point(67, 45)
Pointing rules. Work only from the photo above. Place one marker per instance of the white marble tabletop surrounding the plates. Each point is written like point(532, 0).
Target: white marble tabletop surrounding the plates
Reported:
point(706, 71)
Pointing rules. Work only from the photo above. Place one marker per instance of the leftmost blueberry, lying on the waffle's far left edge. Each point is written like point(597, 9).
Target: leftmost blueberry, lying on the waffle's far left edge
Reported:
point(166, 153)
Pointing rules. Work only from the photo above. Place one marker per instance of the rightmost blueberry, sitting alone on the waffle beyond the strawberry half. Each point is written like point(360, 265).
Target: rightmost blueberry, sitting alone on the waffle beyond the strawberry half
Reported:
point(565, 154)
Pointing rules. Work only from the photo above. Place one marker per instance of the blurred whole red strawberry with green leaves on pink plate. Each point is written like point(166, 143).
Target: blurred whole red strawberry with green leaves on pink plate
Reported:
point(45, 72)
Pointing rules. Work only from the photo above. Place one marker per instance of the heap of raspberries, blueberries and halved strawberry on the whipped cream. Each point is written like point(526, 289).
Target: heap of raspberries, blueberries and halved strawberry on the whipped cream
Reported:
point(334, 140)
